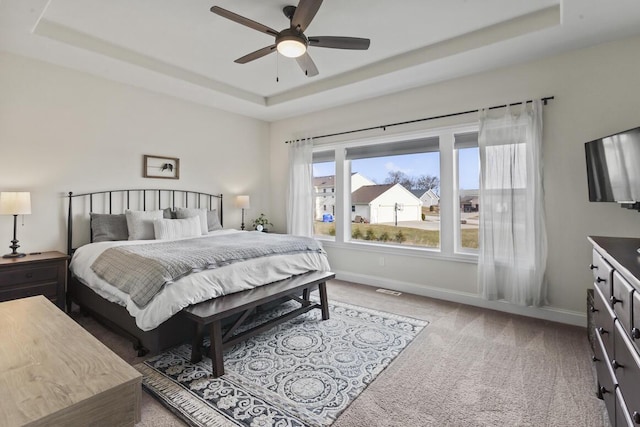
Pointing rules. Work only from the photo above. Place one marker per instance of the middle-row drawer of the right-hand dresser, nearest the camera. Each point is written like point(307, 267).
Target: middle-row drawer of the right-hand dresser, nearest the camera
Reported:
point(626, 366)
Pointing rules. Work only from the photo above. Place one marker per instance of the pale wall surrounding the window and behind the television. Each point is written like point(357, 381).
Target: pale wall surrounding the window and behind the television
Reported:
point(596, 94)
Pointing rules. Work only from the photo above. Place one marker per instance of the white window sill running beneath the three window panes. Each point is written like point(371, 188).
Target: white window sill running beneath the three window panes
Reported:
point(396, 250)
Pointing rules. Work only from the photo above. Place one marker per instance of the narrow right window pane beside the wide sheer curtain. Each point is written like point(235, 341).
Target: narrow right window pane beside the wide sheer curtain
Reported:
point(468, 178)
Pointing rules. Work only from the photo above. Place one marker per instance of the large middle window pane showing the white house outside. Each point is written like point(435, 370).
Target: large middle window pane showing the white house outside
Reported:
point(394, 188)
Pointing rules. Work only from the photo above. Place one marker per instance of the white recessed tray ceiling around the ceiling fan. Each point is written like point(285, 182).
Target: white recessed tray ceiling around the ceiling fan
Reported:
point(182, 49)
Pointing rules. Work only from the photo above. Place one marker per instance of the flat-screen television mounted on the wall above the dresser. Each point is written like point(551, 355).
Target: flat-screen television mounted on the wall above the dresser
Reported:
point(613, 168)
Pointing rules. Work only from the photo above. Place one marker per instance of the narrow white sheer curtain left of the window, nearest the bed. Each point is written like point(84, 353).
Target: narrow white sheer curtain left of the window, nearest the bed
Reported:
point(300, 200)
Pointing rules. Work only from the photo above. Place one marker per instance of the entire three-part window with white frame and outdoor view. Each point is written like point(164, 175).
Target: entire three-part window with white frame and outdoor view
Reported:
point(416, 191)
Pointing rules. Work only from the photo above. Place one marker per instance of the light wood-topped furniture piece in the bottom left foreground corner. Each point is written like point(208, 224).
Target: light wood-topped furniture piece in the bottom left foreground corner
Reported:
point(54, 373)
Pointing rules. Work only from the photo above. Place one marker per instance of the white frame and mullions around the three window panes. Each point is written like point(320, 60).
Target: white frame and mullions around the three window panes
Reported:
point(449, 249)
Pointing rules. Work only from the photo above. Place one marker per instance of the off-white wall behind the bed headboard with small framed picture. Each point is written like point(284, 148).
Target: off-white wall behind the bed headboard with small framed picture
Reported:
point(62, 130)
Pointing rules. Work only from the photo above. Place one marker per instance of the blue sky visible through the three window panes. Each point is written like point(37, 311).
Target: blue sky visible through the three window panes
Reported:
point(414, 165)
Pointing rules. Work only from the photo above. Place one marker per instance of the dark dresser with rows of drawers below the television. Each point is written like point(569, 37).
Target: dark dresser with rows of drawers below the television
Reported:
point(616, 314)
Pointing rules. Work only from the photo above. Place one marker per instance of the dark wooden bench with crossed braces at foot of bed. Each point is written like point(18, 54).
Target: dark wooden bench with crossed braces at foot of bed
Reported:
point(210, 314)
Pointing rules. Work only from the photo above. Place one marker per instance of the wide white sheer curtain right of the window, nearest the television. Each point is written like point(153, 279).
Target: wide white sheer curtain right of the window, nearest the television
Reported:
point(513, 239)
